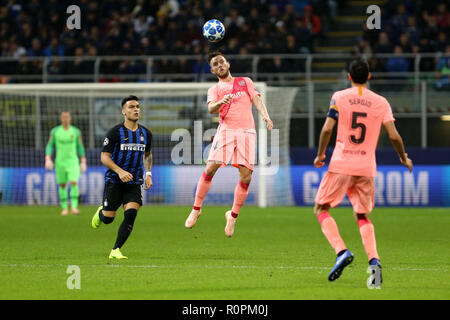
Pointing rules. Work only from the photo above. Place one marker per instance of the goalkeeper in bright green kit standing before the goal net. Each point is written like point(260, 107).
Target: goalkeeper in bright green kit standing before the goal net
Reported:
point(68, 143)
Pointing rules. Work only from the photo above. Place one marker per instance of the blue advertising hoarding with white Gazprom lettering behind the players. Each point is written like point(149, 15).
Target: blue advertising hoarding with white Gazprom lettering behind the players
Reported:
point(394, 186)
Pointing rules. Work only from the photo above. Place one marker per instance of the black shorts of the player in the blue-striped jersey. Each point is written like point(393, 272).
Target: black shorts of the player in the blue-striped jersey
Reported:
point(117, 194)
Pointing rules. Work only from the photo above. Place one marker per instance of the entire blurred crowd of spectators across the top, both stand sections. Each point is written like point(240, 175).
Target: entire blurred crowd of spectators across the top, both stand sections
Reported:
point(36, 28)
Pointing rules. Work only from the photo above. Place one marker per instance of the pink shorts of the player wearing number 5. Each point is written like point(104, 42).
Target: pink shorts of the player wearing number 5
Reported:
point(360, 191)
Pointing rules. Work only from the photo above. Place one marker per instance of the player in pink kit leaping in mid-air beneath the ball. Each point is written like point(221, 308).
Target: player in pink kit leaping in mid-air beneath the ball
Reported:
point(235, 138)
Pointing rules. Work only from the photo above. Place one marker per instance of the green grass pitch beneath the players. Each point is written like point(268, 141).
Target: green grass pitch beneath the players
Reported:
point(275, 254)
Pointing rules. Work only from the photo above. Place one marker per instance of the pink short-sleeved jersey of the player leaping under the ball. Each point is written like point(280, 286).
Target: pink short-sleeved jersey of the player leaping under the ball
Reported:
point(239, 115)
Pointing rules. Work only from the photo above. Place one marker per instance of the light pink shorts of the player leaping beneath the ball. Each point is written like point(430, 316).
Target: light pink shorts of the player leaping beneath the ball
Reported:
point(236, 145)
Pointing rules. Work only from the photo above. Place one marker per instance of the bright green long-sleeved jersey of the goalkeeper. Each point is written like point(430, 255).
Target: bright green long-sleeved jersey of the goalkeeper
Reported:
point(68, 146)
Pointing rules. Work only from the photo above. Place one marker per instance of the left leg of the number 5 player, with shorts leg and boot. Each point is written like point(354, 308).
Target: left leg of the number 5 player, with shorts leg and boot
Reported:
point(331, 191)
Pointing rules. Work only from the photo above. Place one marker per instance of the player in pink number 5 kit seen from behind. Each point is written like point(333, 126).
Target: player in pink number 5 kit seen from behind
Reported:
point(352, 168)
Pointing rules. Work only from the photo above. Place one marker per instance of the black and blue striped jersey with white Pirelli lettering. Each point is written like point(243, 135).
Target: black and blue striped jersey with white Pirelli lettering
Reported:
point(127, 151)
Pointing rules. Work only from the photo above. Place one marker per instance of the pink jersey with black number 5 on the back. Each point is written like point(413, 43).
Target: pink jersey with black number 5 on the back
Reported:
point(361, 113)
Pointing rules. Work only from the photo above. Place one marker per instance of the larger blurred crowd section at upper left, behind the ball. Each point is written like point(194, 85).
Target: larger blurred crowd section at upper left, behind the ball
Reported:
point(35, 28)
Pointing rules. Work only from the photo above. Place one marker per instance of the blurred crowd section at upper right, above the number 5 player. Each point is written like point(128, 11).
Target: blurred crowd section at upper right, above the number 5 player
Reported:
point(410, 27)
